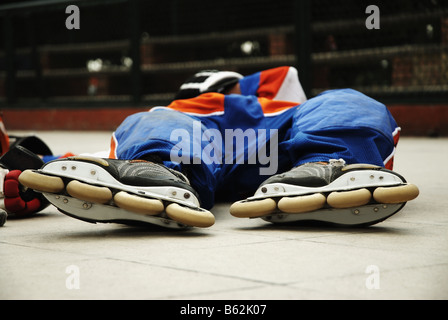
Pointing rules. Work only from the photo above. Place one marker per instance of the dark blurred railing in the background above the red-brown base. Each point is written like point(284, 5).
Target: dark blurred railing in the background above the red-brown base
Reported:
point(137, 53)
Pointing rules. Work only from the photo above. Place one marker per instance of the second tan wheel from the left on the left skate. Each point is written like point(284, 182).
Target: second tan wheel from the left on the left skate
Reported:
point(88, 192)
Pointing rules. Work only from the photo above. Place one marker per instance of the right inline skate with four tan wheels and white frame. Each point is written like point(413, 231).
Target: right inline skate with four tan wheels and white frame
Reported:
point(336, 193)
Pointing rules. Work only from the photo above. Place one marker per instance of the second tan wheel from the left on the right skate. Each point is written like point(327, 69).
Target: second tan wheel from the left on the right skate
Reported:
point(302, 204)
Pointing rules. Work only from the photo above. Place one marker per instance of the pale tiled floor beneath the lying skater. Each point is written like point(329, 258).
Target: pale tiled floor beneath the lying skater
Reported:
point(52, 256)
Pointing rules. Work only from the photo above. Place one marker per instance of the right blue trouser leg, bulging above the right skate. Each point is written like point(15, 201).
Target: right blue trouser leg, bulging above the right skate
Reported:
point(341, 124)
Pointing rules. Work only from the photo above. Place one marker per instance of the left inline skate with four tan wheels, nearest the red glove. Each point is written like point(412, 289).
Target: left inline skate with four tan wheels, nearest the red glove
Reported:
point(122, 191)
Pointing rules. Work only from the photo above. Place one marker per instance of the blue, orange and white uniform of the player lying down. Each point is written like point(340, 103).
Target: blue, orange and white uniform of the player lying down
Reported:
point(229, 144)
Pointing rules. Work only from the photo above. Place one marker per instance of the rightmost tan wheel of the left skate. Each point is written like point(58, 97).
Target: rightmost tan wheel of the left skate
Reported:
point(191, 217)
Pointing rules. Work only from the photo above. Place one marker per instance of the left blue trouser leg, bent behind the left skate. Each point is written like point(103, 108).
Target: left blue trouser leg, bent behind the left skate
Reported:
point(167, 134)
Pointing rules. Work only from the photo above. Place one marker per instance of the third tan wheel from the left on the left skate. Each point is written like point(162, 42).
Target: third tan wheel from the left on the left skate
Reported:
point(138, 204)
